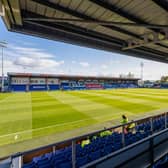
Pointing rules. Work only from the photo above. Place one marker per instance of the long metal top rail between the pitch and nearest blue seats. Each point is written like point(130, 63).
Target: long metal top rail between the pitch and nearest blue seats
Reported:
point(84, 136)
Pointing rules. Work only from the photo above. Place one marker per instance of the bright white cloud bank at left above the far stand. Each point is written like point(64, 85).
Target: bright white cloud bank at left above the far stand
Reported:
point(26, 59)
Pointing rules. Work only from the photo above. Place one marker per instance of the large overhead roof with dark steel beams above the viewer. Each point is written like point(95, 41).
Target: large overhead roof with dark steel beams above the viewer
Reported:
point(133, 27)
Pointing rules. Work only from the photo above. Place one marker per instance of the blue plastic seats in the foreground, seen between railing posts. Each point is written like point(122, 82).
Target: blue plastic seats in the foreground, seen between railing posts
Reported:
point(98, 147)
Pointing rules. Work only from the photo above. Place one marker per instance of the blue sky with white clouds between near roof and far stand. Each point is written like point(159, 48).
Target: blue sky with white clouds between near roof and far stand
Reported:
point(31, 54)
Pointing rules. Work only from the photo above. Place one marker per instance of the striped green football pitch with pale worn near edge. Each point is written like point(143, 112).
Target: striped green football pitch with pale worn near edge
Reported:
point(28, 117)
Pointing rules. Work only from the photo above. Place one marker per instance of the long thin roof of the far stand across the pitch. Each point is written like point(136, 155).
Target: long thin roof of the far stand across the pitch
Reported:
point(13, 74)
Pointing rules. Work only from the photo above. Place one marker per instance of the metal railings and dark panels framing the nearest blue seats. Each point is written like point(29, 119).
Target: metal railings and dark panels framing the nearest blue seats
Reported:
point(143, 153)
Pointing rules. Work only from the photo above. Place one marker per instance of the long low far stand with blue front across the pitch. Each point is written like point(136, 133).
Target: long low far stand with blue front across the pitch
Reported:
point(42, 82)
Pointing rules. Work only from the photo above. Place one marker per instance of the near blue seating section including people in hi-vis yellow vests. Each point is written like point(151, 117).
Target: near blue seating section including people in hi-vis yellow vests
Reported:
point(102, 144)
